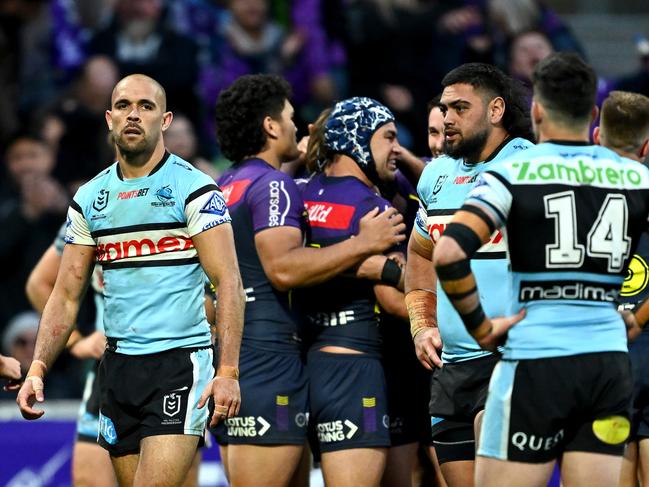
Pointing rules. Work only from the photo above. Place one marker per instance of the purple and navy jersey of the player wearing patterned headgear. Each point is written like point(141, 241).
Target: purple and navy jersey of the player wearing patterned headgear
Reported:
point(340, 311)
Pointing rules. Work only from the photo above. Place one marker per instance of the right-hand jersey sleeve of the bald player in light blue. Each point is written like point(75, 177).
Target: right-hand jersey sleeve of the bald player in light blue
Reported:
point(205, 207)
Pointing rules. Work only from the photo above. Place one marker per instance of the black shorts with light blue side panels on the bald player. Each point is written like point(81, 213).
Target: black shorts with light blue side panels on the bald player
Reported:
point(153, 394)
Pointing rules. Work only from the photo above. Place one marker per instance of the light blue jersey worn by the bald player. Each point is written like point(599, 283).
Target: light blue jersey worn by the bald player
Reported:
point(142, 229)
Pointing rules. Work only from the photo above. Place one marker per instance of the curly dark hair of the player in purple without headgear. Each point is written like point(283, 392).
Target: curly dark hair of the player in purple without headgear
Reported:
point(240, 112)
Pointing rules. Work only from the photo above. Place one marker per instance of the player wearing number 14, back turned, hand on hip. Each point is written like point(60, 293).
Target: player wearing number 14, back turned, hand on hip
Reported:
point(572, 214)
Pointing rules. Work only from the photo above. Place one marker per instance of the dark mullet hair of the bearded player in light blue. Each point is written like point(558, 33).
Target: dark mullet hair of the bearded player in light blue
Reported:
point(493, 82)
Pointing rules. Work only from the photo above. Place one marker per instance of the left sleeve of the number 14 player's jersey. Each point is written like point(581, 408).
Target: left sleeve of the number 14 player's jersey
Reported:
point(491, 191)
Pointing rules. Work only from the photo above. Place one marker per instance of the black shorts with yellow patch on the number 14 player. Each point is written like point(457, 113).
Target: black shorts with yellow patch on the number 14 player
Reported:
point(537, 409)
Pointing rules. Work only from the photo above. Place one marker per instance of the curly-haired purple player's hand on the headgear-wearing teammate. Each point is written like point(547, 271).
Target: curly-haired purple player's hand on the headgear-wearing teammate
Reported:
point(380, 231)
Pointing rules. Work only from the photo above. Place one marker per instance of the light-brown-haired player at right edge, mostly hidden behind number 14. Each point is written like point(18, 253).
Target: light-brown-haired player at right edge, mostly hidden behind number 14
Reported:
point(624, 128)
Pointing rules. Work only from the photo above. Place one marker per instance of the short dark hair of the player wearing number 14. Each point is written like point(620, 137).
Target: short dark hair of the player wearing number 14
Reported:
point(566, 86)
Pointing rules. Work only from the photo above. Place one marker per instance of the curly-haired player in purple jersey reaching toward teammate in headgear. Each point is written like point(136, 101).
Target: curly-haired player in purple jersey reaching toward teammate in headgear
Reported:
point(255, 130)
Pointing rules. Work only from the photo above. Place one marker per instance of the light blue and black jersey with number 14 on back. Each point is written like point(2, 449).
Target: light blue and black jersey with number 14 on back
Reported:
point(574, 214)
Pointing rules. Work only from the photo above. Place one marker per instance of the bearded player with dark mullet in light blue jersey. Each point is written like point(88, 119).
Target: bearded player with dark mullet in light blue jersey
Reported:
point(485, 121)
